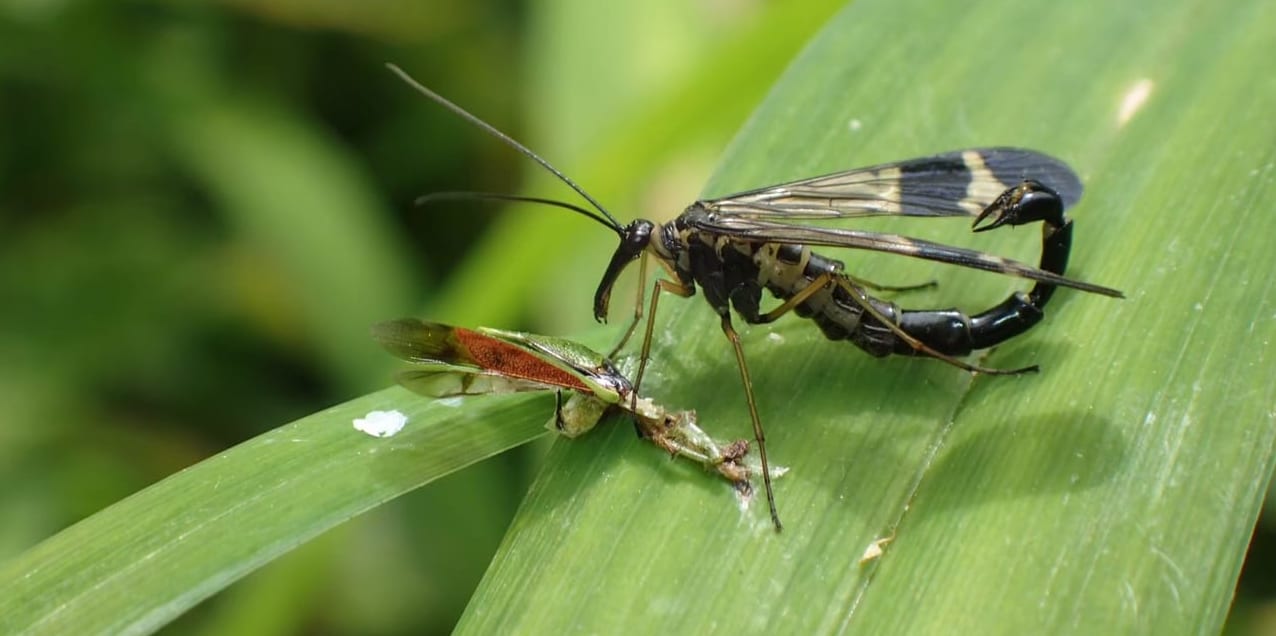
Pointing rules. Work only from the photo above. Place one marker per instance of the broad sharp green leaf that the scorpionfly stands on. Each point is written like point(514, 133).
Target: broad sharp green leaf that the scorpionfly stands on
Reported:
point(1115, 492)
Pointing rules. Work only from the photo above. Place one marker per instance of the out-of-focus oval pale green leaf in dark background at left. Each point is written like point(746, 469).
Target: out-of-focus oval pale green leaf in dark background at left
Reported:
point(309, 211)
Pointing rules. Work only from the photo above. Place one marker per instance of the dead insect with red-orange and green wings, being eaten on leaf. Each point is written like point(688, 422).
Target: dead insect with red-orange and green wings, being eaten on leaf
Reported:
point(459, 362)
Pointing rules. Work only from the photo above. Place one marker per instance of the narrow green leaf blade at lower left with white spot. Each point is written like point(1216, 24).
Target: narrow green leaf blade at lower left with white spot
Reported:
point(140, 564)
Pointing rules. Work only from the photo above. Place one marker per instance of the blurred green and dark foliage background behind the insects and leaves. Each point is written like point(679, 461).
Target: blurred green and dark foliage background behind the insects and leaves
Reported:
point(205, 206)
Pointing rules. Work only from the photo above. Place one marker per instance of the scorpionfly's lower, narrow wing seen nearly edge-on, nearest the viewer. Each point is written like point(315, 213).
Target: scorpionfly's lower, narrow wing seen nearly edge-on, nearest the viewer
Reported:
point(770, 232)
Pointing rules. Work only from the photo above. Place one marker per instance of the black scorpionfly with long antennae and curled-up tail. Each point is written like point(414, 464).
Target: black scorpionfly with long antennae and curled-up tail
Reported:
point(736, 247)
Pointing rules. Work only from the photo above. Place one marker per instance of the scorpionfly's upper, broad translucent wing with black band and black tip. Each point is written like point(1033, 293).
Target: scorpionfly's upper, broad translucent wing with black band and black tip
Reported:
point(959, 183)
